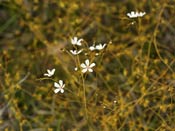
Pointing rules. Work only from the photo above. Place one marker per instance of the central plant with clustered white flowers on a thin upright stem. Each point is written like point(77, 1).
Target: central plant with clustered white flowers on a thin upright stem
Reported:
point(84, 59)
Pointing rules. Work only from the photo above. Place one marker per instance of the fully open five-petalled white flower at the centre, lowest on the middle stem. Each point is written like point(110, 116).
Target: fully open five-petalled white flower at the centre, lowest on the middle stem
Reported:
point(87, 66)
